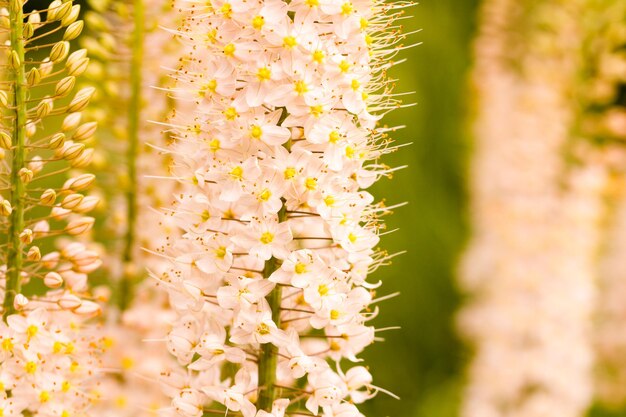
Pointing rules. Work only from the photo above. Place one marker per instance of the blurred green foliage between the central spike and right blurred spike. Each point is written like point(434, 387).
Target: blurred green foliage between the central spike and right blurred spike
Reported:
point(422, 361)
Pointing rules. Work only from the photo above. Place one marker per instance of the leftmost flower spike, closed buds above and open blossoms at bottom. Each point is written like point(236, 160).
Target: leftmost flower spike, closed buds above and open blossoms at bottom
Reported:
point(48, 358)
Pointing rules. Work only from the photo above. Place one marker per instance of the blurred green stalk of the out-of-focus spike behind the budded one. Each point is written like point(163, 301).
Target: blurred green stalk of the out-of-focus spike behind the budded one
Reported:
point(134, 117)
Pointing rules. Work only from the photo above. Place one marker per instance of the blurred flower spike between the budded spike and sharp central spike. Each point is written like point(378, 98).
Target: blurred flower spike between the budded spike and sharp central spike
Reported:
point(129, 49)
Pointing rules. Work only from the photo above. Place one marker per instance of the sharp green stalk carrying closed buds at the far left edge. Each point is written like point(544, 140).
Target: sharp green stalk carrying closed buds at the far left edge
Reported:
point(18, 190)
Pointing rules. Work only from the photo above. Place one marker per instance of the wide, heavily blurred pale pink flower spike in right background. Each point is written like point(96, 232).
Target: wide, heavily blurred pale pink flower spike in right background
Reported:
point(539, 188)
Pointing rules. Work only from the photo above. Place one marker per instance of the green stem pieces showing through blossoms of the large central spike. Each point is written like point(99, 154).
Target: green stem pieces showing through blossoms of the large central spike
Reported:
point(269, 352)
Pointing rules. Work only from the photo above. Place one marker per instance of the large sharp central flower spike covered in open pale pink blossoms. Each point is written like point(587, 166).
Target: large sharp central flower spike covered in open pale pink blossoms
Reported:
point(269, 279)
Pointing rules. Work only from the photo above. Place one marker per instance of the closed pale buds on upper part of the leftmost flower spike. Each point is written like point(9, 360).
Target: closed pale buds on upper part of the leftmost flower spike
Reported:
point(35, 206)
